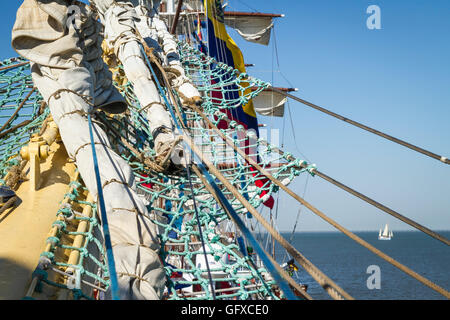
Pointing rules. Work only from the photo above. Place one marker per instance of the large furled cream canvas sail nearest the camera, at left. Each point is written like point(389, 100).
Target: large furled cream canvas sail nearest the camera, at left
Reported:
point(41, 35)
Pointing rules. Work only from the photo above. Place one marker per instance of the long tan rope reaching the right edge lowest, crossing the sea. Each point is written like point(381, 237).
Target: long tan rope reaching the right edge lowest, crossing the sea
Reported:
point(327, 219)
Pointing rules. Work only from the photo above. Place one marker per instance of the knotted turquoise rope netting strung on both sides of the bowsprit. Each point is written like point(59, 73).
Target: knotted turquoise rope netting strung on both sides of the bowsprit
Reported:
point(169, 196)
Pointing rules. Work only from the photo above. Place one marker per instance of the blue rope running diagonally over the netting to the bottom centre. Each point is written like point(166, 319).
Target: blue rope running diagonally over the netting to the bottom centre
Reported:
point(245, 231)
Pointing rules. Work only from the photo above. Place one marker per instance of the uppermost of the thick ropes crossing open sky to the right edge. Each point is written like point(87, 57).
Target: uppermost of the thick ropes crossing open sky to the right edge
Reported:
point(366, 128)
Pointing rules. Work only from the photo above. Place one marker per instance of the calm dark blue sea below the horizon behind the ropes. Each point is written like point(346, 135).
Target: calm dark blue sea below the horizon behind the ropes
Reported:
point(346, 263)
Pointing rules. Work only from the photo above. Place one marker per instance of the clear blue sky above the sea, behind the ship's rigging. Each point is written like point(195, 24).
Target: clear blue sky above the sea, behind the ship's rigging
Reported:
point(396, 79)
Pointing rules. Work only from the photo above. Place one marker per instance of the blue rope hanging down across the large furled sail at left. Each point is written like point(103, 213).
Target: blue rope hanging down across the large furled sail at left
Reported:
point(106, 234)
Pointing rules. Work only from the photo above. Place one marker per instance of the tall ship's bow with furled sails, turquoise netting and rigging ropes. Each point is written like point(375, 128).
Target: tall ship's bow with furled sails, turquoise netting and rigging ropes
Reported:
point(105, 196)
